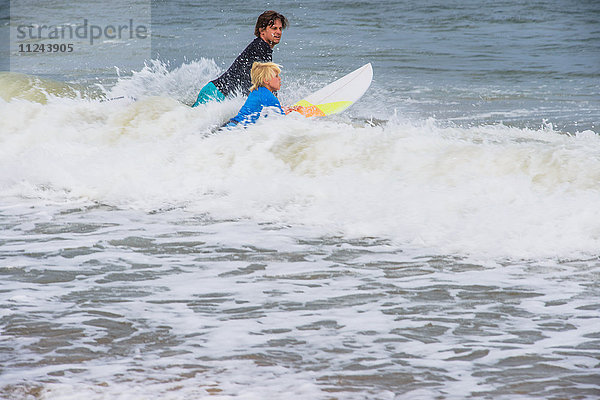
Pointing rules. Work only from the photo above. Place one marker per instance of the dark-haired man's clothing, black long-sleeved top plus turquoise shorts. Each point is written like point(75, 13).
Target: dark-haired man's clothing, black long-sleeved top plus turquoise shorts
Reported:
point(237, 77)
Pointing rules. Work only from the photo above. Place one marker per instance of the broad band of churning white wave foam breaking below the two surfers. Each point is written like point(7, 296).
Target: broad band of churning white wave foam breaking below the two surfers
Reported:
point(490, 190)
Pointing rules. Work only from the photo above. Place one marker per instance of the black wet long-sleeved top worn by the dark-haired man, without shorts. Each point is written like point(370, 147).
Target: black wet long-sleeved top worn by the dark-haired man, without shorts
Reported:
point(237, 77)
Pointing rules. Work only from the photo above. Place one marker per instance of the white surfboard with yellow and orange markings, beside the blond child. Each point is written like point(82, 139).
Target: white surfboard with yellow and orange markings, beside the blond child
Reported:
point(338, 95)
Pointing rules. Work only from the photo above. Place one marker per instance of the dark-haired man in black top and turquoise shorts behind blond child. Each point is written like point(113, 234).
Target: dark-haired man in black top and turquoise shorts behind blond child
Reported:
point(268, 30)
